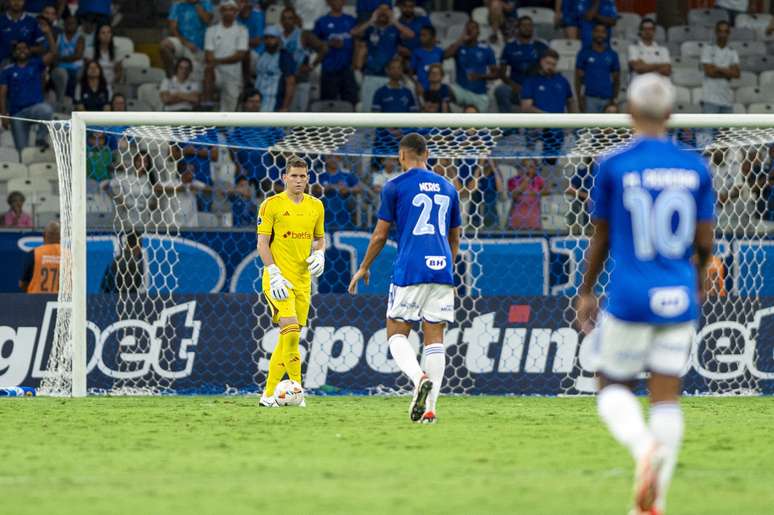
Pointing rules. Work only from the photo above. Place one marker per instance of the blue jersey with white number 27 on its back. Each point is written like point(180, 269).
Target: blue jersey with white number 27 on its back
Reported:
point(423, 207)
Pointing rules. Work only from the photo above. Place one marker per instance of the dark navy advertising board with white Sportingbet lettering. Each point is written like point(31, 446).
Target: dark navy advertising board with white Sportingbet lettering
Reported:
point(209, 343)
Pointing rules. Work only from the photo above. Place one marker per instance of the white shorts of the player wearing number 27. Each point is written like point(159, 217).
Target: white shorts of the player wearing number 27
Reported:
point(431, 302)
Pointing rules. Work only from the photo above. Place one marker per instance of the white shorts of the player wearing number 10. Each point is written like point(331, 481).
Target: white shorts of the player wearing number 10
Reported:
point(626, 348)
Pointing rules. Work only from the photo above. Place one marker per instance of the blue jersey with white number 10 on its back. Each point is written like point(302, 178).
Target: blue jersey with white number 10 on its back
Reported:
point(652, 194)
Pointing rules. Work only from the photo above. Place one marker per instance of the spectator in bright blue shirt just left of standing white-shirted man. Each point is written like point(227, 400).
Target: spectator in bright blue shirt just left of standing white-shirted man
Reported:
point(187, 23)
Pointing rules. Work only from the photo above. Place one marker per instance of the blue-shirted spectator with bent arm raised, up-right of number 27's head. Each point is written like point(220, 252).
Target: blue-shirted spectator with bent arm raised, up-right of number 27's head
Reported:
point(476, 64)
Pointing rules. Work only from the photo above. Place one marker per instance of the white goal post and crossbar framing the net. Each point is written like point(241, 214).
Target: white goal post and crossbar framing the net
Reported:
point(80, 121)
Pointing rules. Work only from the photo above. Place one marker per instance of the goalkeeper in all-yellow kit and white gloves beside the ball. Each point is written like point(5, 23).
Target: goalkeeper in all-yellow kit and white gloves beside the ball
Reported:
point(291, 243)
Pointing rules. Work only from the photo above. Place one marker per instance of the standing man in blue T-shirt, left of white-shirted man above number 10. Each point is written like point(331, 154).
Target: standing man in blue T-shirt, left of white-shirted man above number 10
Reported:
point(597, 74)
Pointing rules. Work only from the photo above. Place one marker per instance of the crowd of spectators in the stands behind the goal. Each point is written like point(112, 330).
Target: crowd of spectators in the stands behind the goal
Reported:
point(376, 56)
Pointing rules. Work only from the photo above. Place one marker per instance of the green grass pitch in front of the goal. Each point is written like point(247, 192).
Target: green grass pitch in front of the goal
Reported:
point(223, 455)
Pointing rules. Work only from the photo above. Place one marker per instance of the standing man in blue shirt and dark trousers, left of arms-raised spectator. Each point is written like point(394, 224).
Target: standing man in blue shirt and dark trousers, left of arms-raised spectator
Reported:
point(337, 80)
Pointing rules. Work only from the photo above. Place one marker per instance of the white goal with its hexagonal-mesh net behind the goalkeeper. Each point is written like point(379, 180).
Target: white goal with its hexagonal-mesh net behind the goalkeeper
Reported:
point(160, 283)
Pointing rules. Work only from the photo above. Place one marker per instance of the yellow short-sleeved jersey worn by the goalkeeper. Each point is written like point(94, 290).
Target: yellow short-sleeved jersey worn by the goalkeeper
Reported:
point(292, 228)
